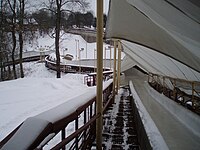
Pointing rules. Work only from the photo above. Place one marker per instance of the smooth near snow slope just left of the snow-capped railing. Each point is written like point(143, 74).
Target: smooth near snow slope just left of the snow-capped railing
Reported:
point(37, 92)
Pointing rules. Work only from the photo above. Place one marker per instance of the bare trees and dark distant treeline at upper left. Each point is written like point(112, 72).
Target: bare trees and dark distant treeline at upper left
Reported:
point(18, 25)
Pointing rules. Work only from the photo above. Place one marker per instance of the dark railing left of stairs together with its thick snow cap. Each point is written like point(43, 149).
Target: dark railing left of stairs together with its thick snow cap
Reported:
point(35, 132)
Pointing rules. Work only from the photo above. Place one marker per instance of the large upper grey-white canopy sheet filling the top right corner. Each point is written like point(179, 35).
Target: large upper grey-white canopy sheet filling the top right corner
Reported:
point(170, 27)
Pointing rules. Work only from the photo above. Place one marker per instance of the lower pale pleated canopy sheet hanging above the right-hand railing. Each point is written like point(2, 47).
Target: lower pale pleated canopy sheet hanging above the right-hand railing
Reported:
point(155, 62)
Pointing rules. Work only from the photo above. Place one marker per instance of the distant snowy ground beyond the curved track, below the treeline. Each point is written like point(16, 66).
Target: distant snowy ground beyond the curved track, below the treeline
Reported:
point(71, 44)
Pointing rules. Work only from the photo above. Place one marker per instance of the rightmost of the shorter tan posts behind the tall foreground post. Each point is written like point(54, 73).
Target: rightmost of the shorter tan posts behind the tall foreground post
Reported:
point(119, 64)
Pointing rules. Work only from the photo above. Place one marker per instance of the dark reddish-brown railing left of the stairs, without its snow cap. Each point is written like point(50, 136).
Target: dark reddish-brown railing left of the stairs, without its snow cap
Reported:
point(83, 119)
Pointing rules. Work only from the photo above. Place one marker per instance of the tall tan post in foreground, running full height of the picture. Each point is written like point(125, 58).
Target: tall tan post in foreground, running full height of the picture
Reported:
point(99, 105)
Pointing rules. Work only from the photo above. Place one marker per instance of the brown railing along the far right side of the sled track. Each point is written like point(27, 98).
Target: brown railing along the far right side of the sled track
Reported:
point(182, 91)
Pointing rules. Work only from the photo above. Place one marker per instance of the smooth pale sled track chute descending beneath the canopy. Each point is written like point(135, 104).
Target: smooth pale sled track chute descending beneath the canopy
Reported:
point(175, 134)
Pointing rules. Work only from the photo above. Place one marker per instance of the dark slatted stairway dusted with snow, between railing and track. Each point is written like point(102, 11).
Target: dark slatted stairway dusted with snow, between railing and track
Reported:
point(119, 132)
